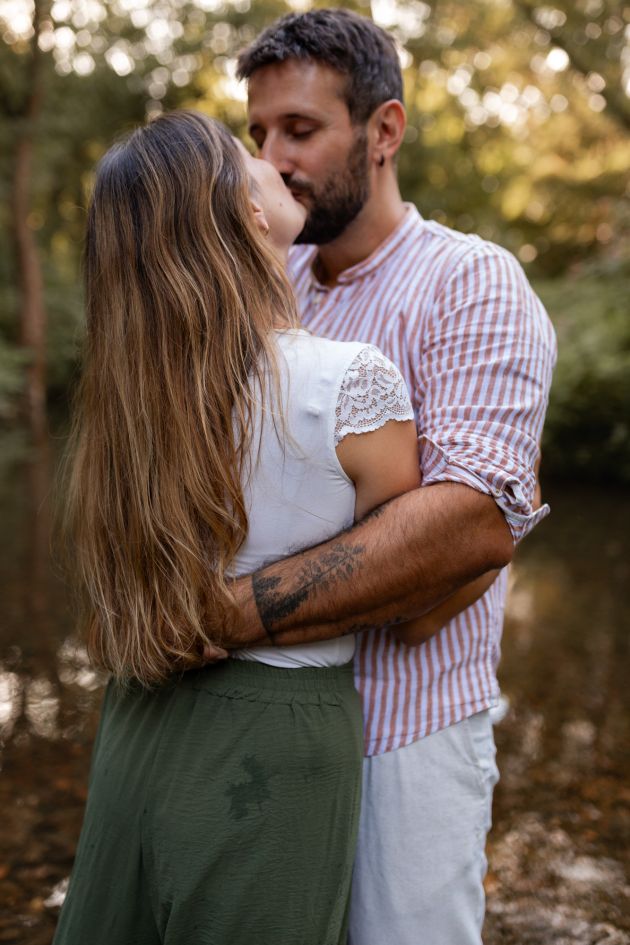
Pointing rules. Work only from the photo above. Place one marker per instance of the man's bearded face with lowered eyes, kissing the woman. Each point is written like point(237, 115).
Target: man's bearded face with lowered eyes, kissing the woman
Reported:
point(300, 123)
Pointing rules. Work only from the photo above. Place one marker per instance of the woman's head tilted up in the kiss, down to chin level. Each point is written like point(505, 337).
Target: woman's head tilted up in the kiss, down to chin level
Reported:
point(182, 191)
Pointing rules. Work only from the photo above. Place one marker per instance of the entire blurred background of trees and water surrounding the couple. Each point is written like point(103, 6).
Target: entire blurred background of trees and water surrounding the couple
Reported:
point(519, 120)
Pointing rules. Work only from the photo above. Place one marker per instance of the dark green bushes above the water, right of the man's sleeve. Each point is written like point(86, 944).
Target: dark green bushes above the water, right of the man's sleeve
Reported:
point(587, 432)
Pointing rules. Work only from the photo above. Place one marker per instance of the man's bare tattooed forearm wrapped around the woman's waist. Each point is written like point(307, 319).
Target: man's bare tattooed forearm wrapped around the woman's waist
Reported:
point(396, 564)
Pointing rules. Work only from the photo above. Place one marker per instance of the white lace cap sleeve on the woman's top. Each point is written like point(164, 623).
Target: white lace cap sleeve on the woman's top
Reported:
point(372, 392)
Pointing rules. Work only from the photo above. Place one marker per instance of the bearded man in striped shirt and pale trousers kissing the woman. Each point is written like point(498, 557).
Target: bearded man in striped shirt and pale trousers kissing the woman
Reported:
point(476, 350)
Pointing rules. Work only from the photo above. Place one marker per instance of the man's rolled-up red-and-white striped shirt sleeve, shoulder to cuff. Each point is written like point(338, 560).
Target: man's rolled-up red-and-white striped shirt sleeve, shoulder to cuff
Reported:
point(483, 384)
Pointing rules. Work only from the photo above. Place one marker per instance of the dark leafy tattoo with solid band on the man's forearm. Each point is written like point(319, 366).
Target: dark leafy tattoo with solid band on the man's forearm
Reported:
point(330, 567)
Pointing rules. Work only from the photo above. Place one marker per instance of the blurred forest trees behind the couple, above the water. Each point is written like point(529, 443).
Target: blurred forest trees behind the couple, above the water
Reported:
point(519, 115)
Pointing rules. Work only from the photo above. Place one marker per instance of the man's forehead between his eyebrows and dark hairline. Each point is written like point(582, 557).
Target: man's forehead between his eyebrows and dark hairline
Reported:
point(290, 88)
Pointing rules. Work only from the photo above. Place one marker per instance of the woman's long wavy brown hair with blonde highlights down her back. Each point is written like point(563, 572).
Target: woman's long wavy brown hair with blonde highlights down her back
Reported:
point(182, 294)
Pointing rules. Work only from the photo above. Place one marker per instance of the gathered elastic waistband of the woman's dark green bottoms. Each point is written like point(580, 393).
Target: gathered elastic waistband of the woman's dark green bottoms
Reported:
point(261, 676)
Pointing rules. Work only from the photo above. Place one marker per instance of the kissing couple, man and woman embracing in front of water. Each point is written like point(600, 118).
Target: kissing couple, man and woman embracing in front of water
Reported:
point(380, 450)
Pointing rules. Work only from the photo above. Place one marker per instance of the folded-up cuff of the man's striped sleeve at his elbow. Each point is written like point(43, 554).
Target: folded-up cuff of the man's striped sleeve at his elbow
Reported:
point(506, 490)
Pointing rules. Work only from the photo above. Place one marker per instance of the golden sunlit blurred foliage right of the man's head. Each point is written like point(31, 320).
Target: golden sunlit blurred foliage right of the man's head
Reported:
point(518, 125)
